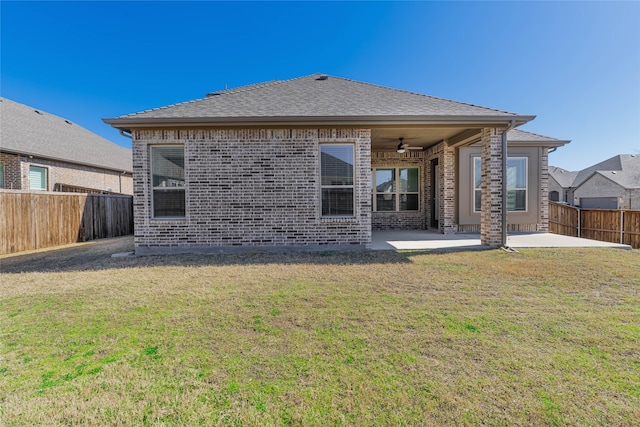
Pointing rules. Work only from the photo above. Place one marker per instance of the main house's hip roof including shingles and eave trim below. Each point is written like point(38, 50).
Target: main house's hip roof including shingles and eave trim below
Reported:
point(318, 98)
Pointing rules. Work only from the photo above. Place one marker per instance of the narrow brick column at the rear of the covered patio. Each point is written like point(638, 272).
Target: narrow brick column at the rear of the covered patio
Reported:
point(447, 223)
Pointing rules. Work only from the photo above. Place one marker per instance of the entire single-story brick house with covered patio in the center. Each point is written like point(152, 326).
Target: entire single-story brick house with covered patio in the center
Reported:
point(321, 161)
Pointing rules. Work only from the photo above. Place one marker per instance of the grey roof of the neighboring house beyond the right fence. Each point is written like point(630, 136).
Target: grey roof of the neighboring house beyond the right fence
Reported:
point(623, 169)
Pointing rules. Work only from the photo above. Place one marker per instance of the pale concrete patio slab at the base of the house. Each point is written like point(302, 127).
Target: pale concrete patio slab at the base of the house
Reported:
point(425, 240)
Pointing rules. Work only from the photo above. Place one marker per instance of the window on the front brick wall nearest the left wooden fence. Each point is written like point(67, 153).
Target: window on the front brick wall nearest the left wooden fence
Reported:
point(167, 181)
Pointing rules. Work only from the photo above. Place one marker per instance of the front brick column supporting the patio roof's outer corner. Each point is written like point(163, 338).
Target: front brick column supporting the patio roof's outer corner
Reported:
point(491, 207)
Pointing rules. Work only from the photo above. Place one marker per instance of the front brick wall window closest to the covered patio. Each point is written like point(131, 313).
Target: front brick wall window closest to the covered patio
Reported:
point(337, 179)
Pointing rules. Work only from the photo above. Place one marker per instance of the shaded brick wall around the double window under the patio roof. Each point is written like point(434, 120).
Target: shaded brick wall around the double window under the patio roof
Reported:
point(408, 220)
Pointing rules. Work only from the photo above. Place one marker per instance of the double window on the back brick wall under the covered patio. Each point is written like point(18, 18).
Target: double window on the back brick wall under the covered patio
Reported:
point(395, 189)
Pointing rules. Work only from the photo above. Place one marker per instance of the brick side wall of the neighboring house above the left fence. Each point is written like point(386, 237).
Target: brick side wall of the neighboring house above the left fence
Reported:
point(16, 170)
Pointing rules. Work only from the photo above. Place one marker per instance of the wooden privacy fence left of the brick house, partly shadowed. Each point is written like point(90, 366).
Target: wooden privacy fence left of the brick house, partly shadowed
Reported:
point(33, 220)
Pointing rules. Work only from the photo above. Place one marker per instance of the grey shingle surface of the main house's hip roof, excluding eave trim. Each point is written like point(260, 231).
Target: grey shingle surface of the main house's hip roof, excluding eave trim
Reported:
point(316, 95)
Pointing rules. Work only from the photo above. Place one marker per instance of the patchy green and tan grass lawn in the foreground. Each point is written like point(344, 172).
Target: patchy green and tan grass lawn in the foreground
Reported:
point(540, 337)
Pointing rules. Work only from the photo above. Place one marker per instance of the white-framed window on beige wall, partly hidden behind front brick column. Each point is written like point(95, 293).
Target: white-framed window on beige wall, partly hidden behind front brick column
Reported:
point(516, 184)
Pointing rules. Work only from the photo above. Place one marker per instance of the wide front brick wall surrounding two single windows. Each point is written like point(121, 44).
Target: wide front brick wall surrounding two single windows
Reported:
point(251, 187)
